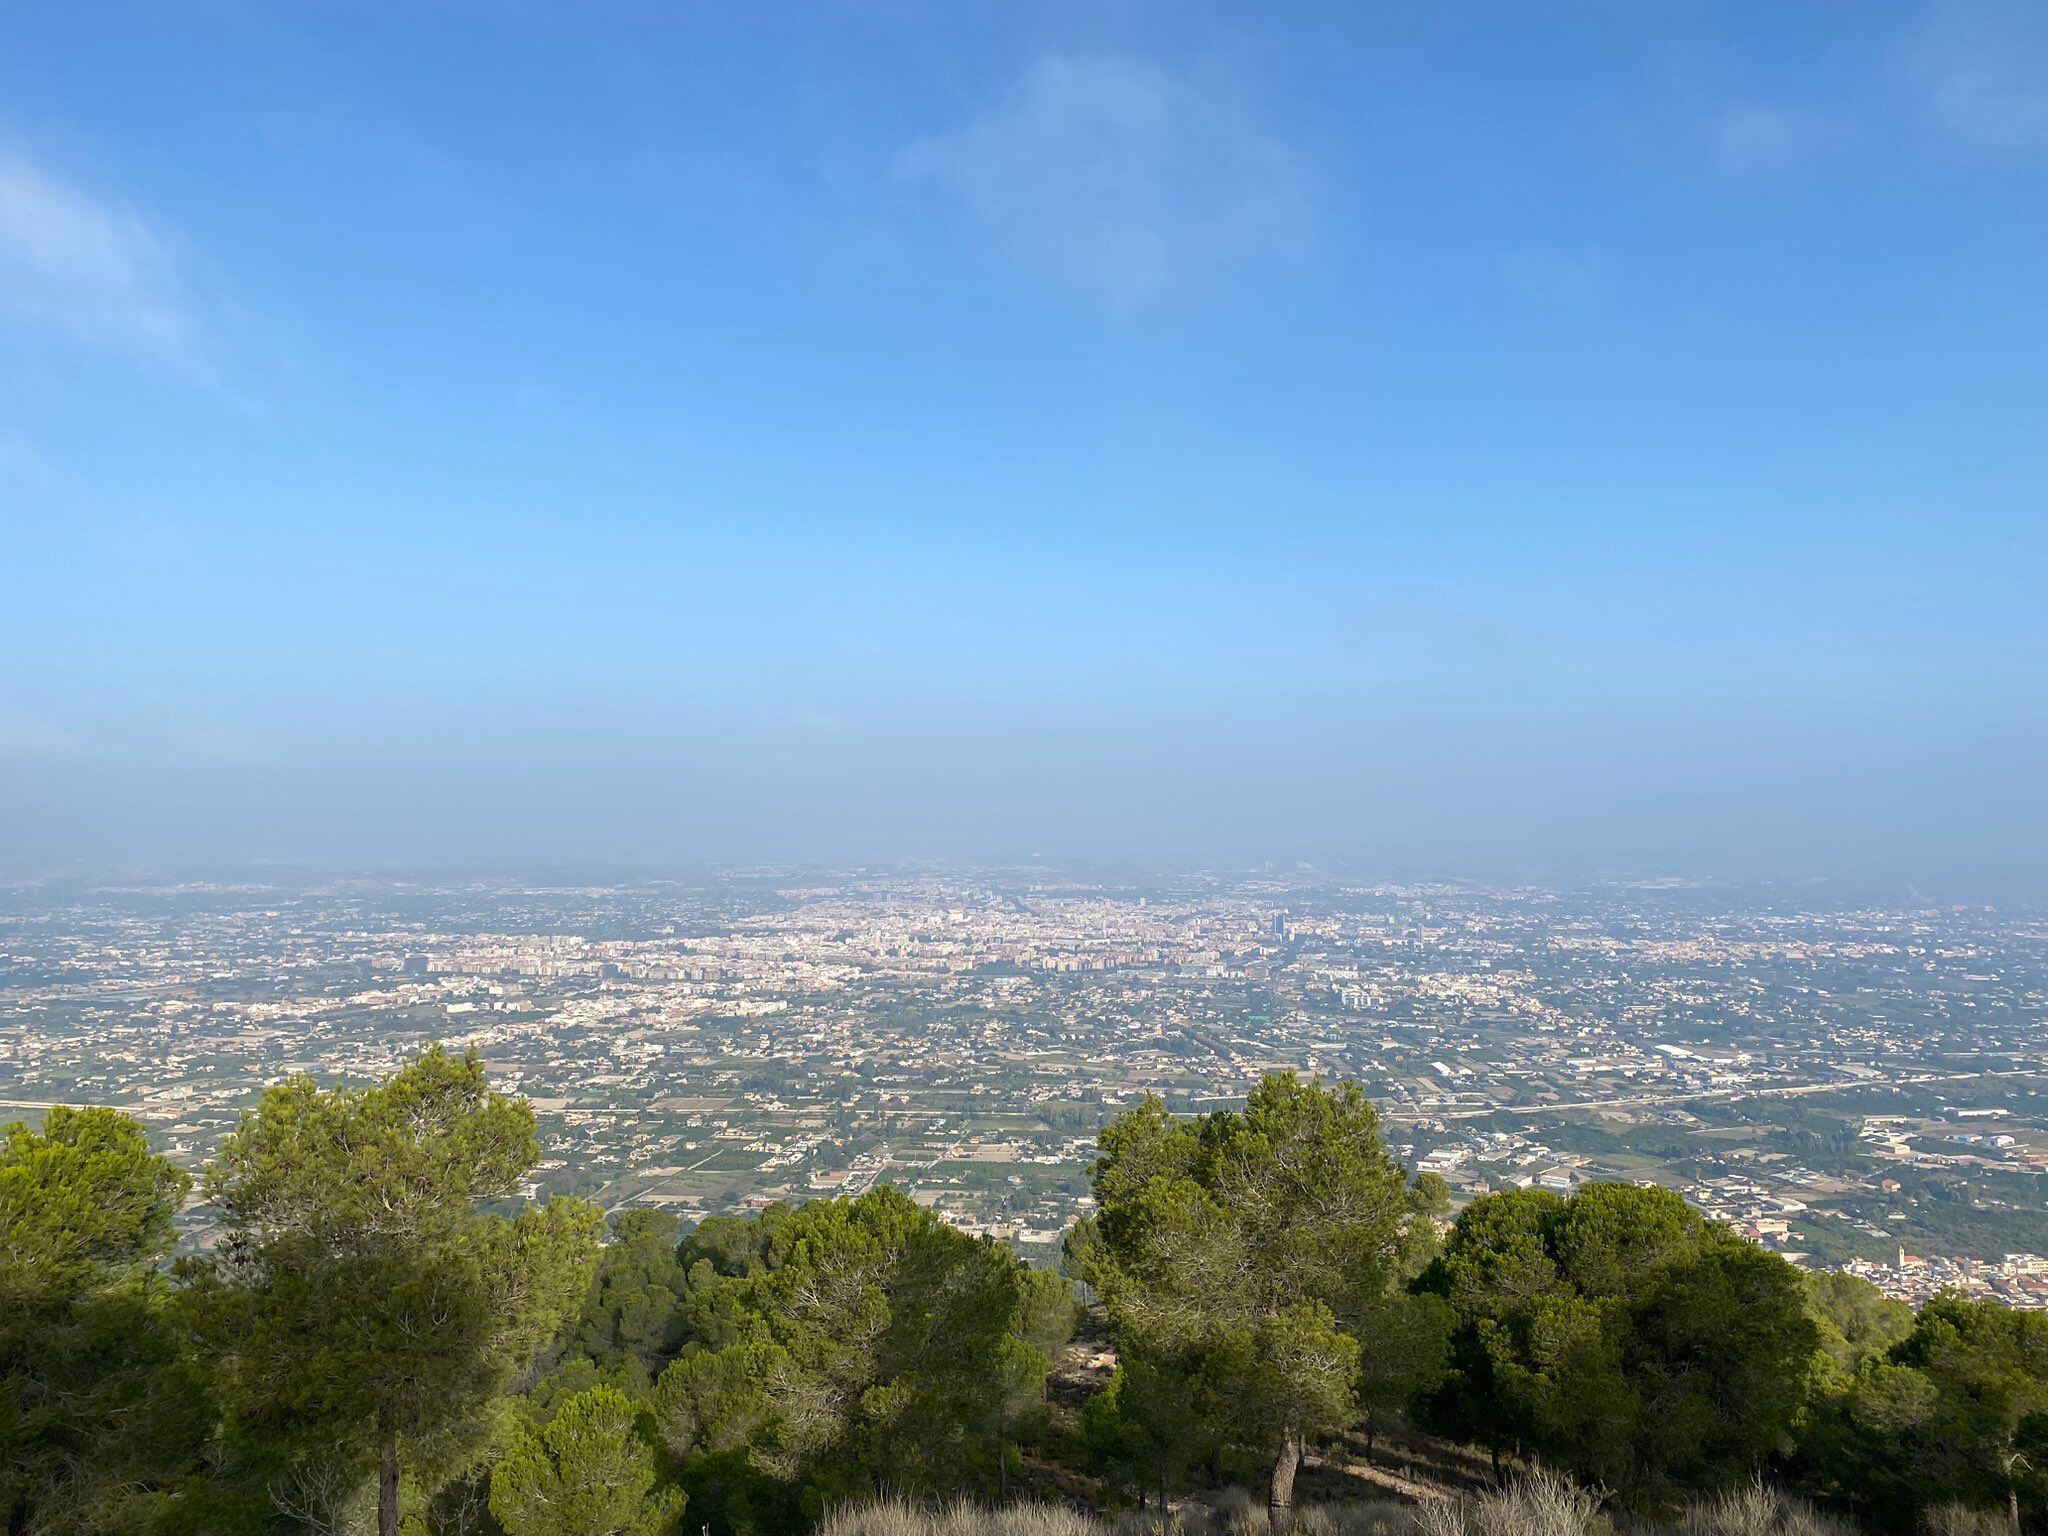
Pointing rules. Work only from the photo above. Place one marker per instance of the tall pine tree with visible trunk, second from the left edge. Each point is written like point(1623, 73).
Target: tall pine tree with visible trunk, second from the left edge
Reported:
point(366, 1304)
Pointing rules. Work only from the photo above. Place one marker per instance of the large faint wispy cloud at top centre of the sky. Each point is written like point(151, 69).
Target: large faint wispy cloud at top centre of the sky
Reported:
point(1121, 177)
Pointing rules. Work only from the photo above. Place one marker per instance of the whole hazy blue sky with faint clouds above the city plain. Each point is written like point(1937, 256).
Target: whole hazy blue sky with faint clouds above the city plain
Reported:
point(1461, 435)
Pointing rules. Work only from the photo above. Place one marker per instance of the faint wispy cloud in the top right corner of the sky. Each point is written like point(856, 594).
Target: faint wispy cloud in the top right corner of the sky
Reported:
point(1983, 71)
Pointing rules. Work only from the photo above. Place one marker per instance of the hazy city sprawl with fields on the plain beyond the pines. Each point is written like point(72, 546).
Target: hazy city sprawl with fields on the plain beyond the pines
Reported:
point(1846, 1082)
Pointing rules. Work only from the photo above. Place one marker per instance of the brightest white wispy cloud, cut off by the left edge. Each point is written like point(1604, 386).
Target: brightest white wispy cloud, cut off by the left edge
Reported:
point(91, 269)
